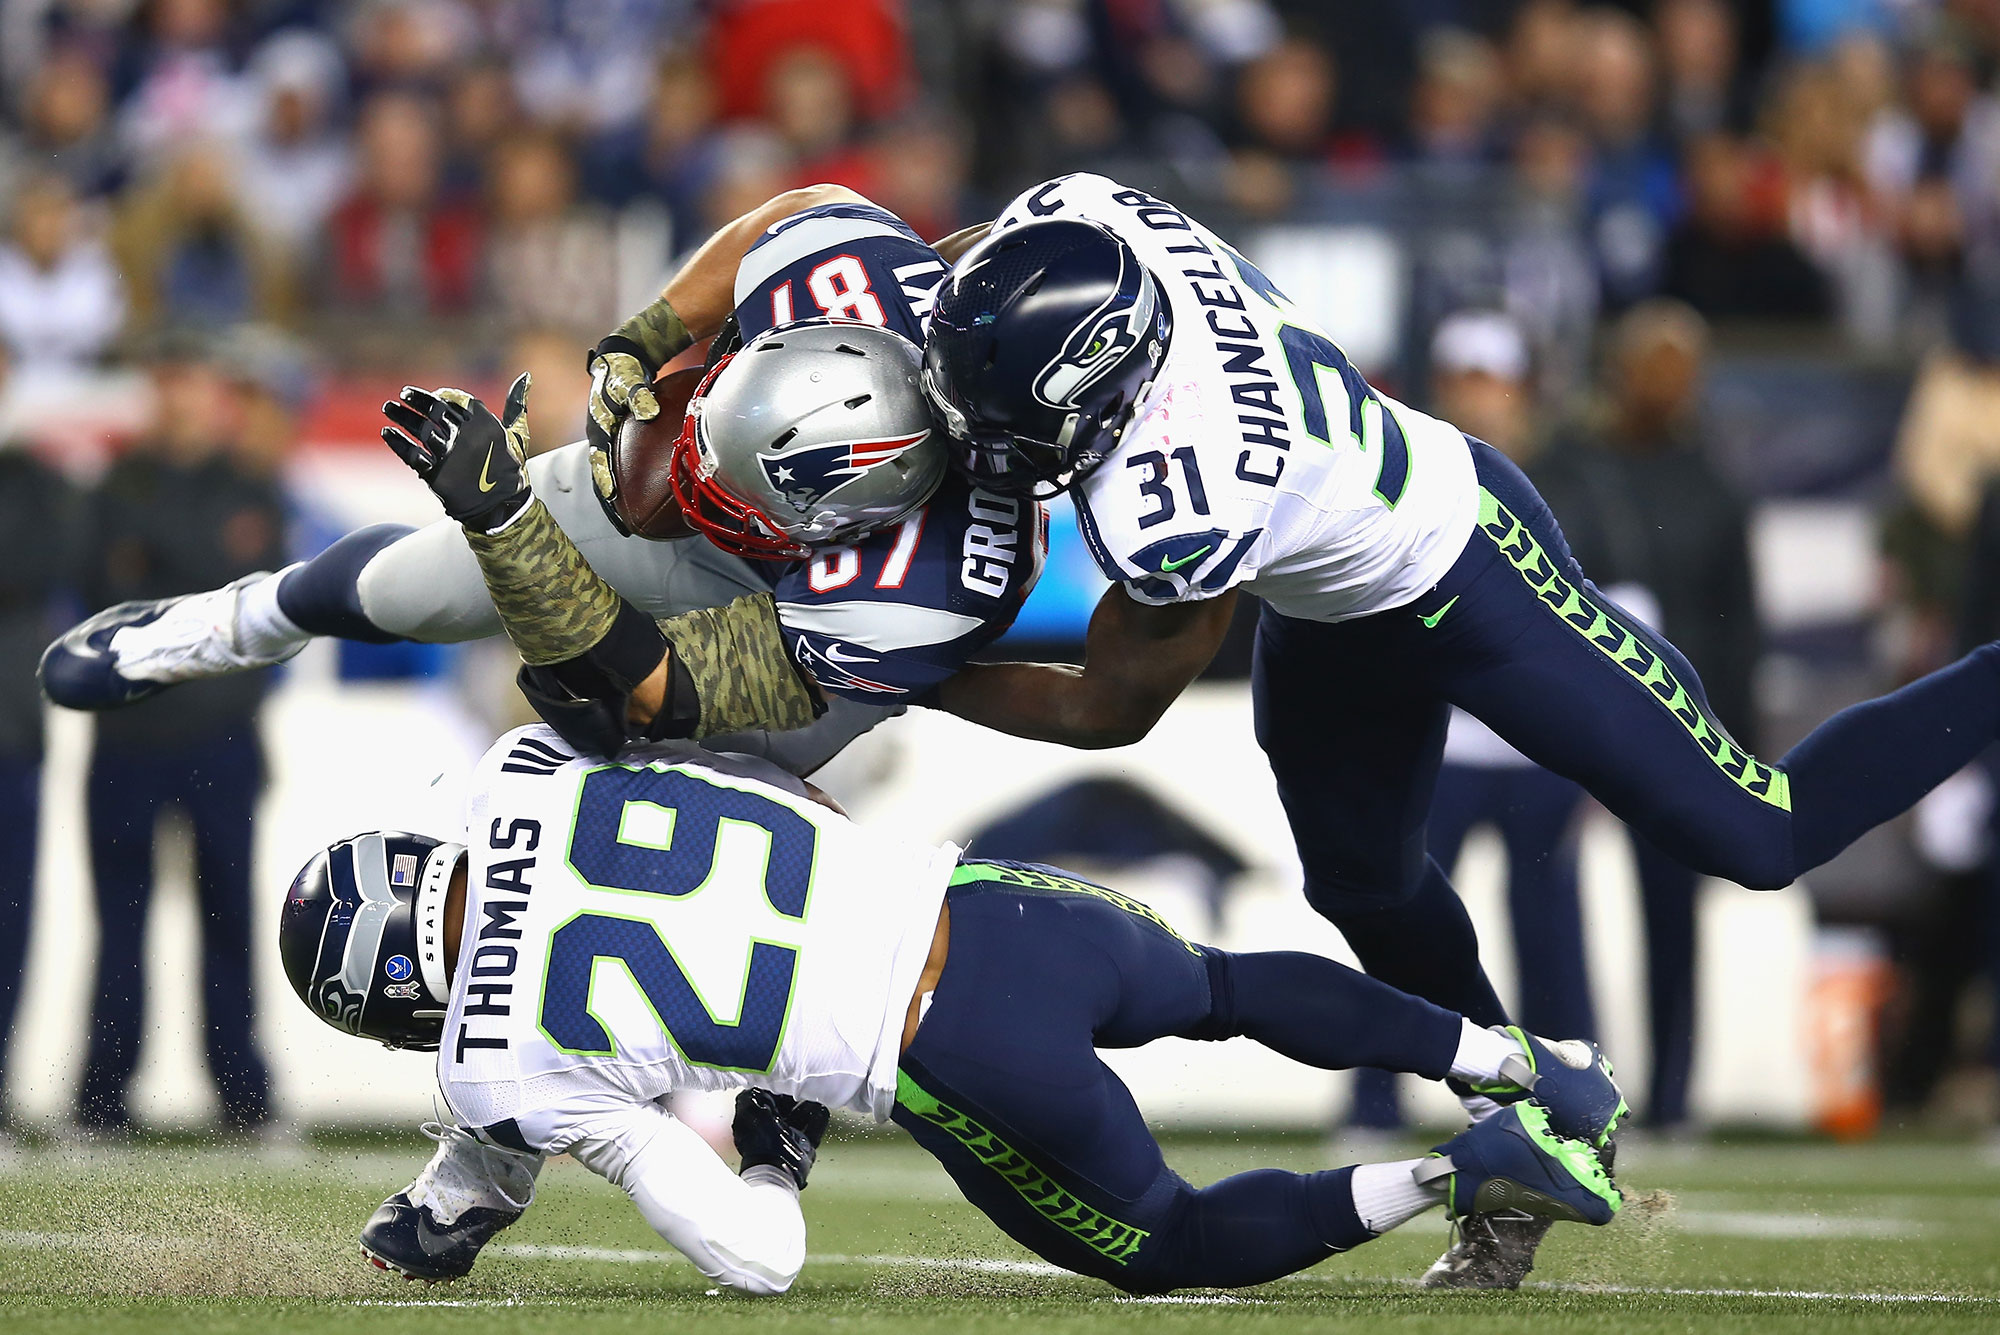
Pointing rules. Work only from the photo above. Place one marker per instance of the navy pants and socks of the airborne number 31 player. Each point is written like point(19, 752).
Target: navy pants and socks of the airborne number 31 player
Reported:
point(1353, 718)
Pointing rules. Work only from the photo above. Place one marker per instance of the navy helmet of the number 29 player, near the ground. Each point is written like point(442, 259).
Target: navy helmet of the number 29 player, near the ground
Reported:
point(363, 936)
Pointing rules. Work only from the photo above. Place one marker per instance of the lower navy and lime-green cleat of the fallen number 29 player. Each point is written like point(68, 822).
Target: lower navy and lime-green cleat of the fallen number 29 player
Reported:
point(1517, 1164)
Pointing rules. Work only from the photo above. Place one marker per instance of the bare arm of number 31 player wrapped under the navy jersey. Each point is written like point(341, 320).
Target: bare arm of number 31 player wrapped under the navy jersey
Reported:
point(1139, 659)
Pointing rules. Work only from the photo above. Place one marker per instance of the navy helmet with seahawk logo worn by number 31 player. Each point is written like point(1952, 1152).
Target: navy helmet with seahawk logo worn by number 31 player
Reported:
point(1043, 343)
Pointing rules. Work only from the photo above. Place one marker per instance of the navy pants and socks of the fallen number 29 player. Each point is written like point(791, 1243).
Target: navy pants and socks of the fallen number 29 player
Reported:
point(1007, 1090)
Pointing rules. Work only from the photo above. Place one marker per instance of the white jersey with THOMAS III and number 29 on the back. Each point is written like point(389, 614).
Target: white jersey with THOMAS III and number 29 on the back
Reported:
point(677, 920)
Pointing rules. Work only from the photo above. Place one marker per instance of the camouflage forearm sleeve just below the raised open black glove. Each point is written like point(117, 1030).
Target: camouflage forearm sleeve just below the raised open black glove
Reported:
point(553, 605)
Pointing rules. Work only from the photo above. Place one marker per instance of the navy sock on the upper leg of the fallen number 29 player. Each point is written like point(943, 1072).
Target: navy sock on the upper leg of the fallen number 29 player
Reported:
point(1325, 1014)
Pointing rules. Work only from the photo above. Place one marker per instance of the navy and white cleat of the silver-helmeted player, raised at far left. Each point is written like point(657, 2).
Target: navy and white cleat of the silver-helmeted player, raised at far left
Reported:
point(175, 641)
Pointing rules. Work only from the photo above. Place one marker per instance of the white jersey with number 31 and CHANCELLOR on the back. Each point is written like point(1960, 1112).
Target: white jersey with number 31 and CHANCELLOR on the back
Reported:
point(1259, 459)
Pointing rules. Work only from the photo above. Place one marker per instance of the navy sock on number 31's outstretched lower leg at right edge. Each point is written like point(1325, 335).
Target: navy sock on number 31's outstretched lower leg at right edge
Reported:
point(1873, 760)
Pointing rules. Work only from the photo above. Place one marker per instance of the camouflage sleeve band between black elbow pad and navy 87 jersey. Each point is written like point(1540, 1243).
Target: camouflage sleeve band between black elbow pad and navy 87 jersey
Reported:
point(741, 668)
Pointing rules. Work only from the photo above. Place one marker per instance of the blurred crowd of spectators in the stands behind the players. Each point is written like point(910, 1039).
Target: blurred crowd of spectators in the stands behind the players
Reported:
point(297, 163)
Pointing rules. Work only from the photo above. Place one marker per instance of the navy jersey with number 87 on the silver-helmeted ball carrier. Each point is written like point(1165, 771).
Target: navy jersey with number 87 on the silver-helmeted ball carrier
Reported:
point(901, 611)
